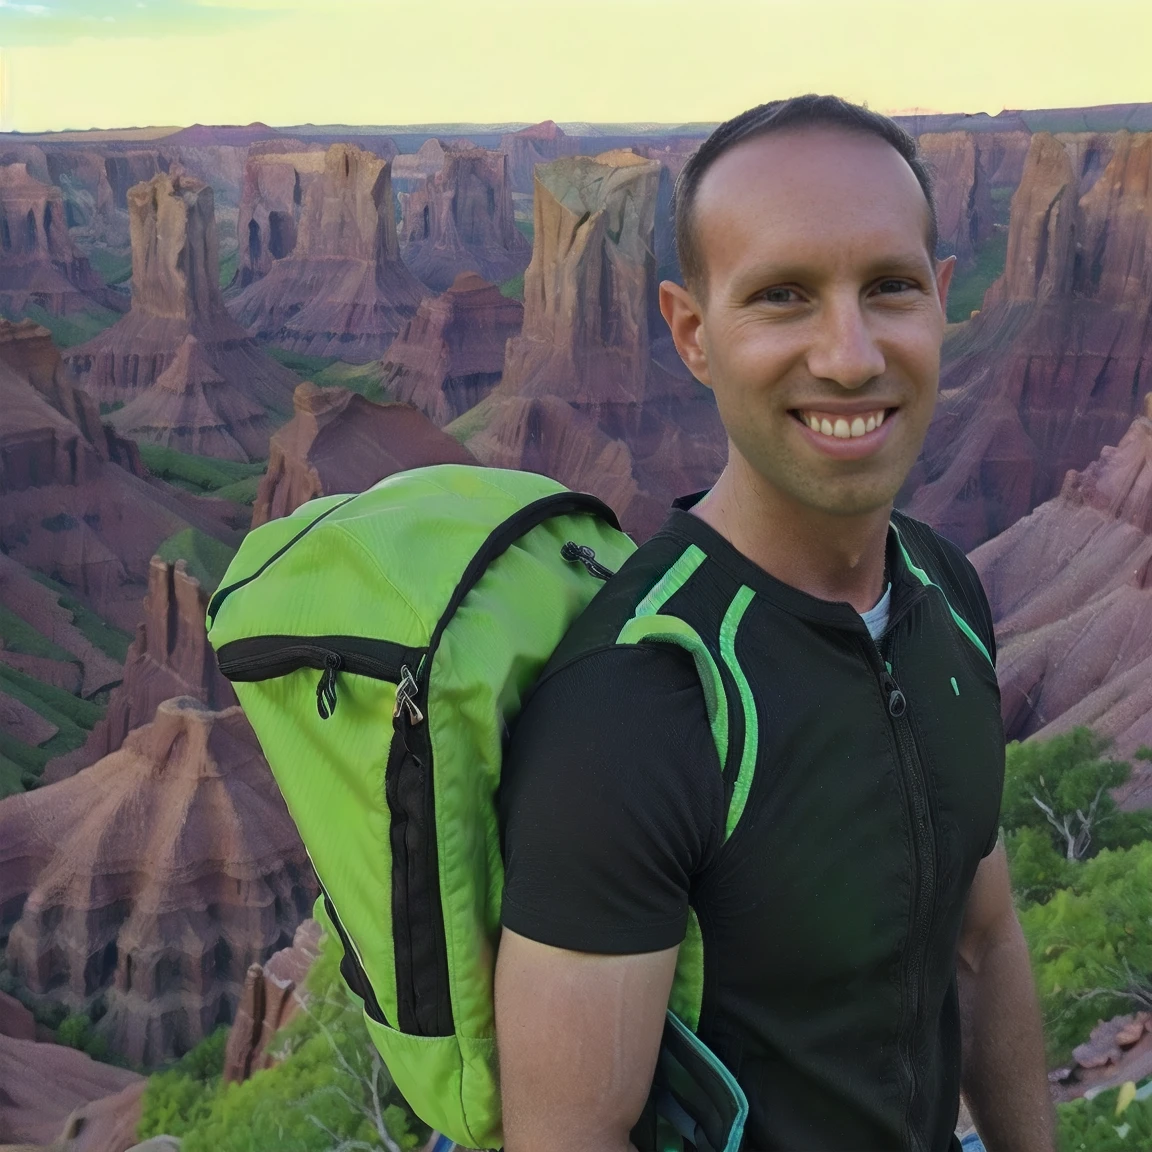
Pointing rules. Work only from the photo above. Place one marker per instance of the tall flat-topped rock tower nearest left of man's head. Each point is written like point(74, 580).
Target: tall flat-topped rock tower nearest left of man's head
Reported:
point(582, 398)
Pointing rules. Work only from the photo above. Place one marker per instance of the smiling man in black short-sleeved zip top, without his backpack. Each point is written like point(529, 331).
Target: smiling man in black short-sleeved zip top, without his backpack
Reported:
point(840, 869)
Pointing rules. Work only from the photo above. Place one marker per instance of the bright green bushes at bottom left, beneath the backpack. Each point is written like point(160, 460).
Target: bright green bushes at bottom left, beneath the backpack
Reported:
point(329, 1092)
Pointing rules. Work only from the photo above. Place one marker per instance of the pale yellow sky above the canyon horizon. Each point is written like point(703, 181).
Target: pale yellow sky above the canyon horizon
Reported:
point(81, 64)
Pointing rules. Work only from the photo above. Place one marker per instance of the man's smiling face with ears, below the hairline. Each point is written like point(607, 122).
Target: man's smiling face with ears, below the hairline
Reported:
point(824, 314)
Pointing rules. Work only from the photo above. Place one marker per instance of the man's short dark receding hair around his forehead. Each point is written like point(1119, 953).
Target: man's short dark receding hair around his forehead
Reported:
point(799, 112)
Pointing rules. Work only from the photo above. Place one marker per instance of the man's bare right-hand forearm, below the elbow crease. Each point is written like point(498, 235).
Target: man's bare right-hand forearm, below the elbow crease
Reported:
point(1004, 1071)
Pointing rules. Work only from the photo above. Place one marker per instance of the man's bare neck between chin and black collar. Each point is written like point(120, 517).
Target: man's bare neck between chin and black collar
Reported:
point(830, 557)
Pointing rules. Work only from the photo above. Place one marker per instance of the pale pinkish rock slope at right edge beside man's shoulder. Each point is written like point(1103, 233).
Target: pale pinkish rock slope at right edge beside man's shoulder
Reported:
point(1071, 588)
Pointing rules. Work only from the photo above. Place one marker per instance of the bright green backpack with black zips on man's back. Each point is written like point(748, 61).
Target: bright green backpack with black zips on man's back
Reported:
point(381, 646)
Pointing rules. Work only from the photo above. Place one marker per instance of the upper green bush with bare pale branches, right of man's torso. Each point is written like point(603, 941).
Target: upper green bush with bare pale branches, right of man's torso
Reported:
point(1062, 786)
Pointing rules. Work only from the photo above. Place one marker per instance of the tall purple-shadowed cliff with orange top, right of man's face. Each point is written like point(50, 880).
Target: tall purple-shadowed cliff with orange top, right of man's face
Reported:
point(1056, 366)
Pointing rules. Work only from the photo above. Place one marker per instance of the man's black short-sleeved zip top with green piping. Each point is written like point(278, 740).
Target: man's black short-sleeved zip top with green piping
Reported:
point(830, 916)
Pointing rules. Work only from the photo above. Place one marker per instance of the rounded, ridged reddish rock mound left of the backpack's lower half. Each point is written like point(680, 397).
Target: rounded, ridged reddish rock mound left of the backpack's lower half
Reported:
point(154, 880)
